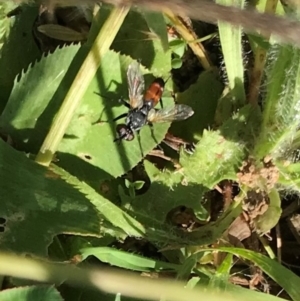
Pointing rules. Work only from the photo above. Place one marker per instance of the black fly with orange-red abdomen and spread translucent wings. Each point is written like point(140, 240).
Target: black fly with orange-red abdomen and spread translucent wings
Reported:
point(141, 105)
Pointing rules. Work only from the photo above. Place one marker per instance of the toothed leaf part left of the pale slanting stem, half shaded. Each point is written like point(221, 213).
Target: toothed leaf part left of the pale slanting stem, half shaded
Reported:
point(35, 98)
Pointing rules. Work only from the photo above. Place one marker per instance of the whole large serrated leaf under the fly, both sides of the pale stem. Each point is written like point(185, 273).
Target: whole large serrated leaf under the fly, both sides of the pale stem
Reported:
point(88, 149)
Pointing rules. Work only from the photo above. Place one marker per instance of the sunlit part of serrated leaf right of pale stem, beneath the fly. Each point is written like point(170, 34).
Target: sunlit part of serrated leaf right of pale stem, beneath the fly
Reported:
point(94, 143)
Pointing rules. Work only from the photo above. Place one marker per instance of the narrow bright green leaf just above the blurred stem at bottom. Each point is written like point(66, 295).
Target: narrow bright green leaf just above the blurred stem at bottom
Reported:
point(127, 260)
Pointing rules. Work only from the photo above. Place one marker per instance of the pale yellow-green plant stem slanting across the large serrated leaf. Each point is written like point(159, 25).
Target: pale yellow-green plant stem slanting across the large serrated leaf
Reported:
point(80, 84)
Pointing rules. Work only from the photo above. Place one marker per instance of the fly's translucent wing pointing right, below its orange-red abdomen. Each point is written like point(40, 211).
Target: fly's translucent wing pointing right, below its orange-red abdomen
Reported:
point(169, 114)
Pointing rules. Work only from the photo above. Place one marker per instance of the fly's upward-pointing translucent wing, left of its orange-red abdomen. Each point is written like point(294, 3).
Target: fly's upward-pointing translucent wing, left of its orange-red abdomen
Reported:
point(136, 85)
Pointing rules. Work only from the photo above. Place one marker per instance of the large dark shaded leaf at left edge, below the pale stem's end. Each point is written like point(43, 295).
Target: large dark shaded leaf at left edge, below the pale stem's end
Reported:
point(37, 205)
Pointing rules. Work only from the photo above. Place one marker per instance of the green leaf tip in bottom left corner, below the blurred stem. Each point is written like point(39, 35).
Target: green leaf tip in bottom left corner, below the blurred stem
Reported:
point(41, 293)
